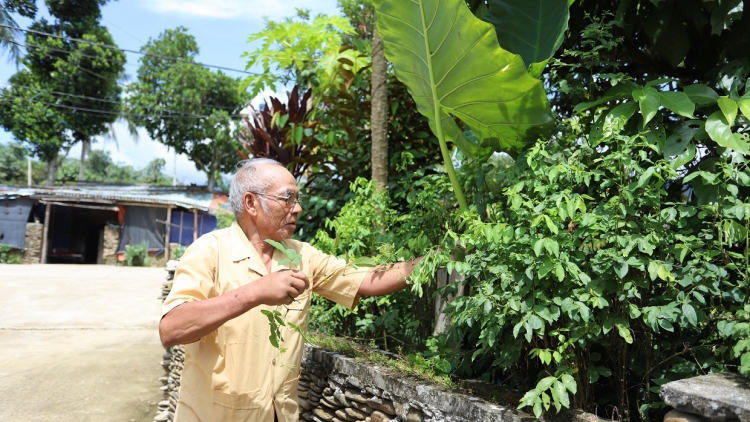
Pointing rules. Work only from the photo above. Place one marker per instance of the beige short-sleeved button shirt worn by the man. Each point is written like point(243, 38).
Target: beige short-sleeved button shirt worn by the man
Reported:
point(234, 373)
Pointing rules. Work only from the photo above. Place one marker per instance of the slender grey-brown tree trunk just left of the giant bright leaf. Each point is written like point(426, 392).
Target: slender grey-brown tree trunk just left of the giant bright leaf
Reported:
point(379, 116)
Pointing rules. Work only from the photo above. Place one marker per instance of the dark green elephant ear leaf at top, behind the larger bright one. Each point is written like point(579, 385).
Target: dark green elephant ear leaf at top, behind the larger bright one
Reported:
point(534, 29)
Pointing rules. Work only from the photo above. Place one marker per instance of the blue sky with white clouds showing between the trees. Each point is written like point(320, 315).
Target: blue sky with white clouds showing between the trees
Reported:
point(221, 28)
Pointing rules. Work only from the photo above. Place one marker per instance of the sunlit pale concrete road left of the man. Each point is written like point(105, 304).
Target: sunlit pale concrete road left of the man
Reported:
point(79, 343)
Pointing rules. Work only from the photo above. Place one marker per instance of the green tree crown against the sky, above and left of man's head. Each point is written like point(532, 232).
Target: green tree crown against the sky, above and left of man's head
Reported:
point(197, 121)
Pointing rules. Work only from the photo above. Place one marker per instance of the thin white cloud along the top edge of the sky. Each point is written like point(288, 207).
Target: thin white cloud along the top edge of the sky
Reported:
point(239, 9)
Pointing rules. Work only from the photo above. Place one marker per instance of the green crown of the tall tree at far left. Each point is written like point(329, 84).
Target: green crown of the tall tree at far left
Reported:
point(47, 104)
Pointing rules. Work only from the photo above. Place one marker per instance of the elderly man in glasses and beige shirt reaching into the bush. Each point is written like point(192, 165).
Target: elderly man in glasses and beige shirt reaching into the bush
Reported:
point(226, 278)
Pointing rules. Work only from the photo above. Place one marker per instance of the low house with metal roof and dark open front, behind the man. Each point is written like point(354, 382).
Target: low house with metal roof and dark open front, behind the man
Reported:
point(92, 224)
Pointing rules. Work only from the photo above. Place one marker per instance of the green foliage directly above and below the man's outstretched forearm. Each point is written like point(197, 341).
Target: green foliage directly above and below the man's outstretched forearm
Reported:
point(371, 226)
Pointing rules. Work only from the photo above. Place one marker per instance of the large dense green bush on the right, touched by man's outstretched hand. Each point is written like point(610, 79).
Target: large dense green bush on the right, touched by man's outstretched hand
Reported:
point(600, 275)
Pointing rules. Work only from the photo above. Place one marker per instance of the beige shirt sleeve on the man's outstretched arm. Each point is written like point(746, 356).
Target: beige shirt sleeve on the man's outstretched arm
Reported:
point(333, 279)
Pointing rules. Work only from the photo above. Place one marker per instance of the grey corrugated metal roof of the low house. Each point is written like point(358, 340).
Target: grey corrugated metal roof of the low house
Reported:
point(191, 198)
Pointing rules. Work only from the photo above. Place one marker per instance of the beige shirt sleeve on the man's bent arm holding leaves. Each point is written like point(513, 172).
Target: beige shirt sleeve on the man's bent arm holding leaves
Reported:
point(195, 275)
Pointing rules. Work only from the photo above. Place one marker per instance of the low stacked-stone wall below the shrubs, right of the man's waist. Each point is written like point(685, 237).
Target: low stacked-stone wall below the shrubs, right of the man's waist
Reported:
point(337, 388)
